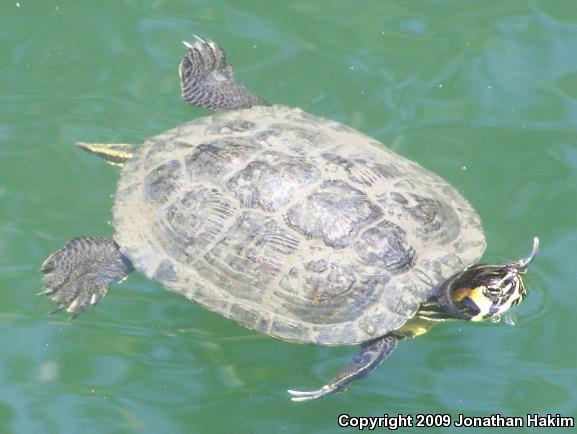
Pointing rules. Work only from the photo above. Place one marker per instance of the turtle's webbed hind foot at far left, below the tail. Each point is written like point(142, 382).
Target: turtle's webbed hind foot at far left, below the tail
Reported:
point(79, 274)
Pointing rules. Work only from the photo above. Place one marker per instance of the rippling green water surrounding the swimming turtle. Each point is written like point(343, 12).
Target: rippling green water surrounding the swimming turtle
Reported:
point(483, 93)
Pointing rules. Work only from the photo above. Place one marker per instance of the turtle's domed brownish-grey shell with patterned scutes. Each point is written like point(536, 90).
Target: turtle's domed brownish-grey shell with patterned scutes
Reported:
point(293, 225)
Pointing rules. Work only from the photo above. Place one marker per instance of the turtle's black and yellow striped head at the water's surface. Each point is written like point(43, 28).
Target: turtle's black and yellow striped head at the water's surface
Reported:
point(481, 291)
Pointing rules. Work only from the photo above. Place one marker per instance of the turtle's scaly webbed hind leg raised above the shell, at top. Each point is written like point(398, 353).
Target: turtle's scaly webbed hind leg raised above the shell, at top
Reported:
point(207, 79)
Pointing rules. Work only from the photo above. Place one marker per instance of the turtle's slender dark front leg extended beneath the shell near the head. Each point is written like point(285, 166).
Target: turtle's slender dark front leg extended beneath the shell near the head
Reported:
point(366, 361)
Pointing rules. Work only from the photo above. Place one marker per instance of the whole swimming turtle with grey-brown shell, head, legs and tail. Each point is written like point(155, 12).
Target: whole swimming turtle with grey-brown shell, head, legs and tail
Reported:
point(289, 224)
